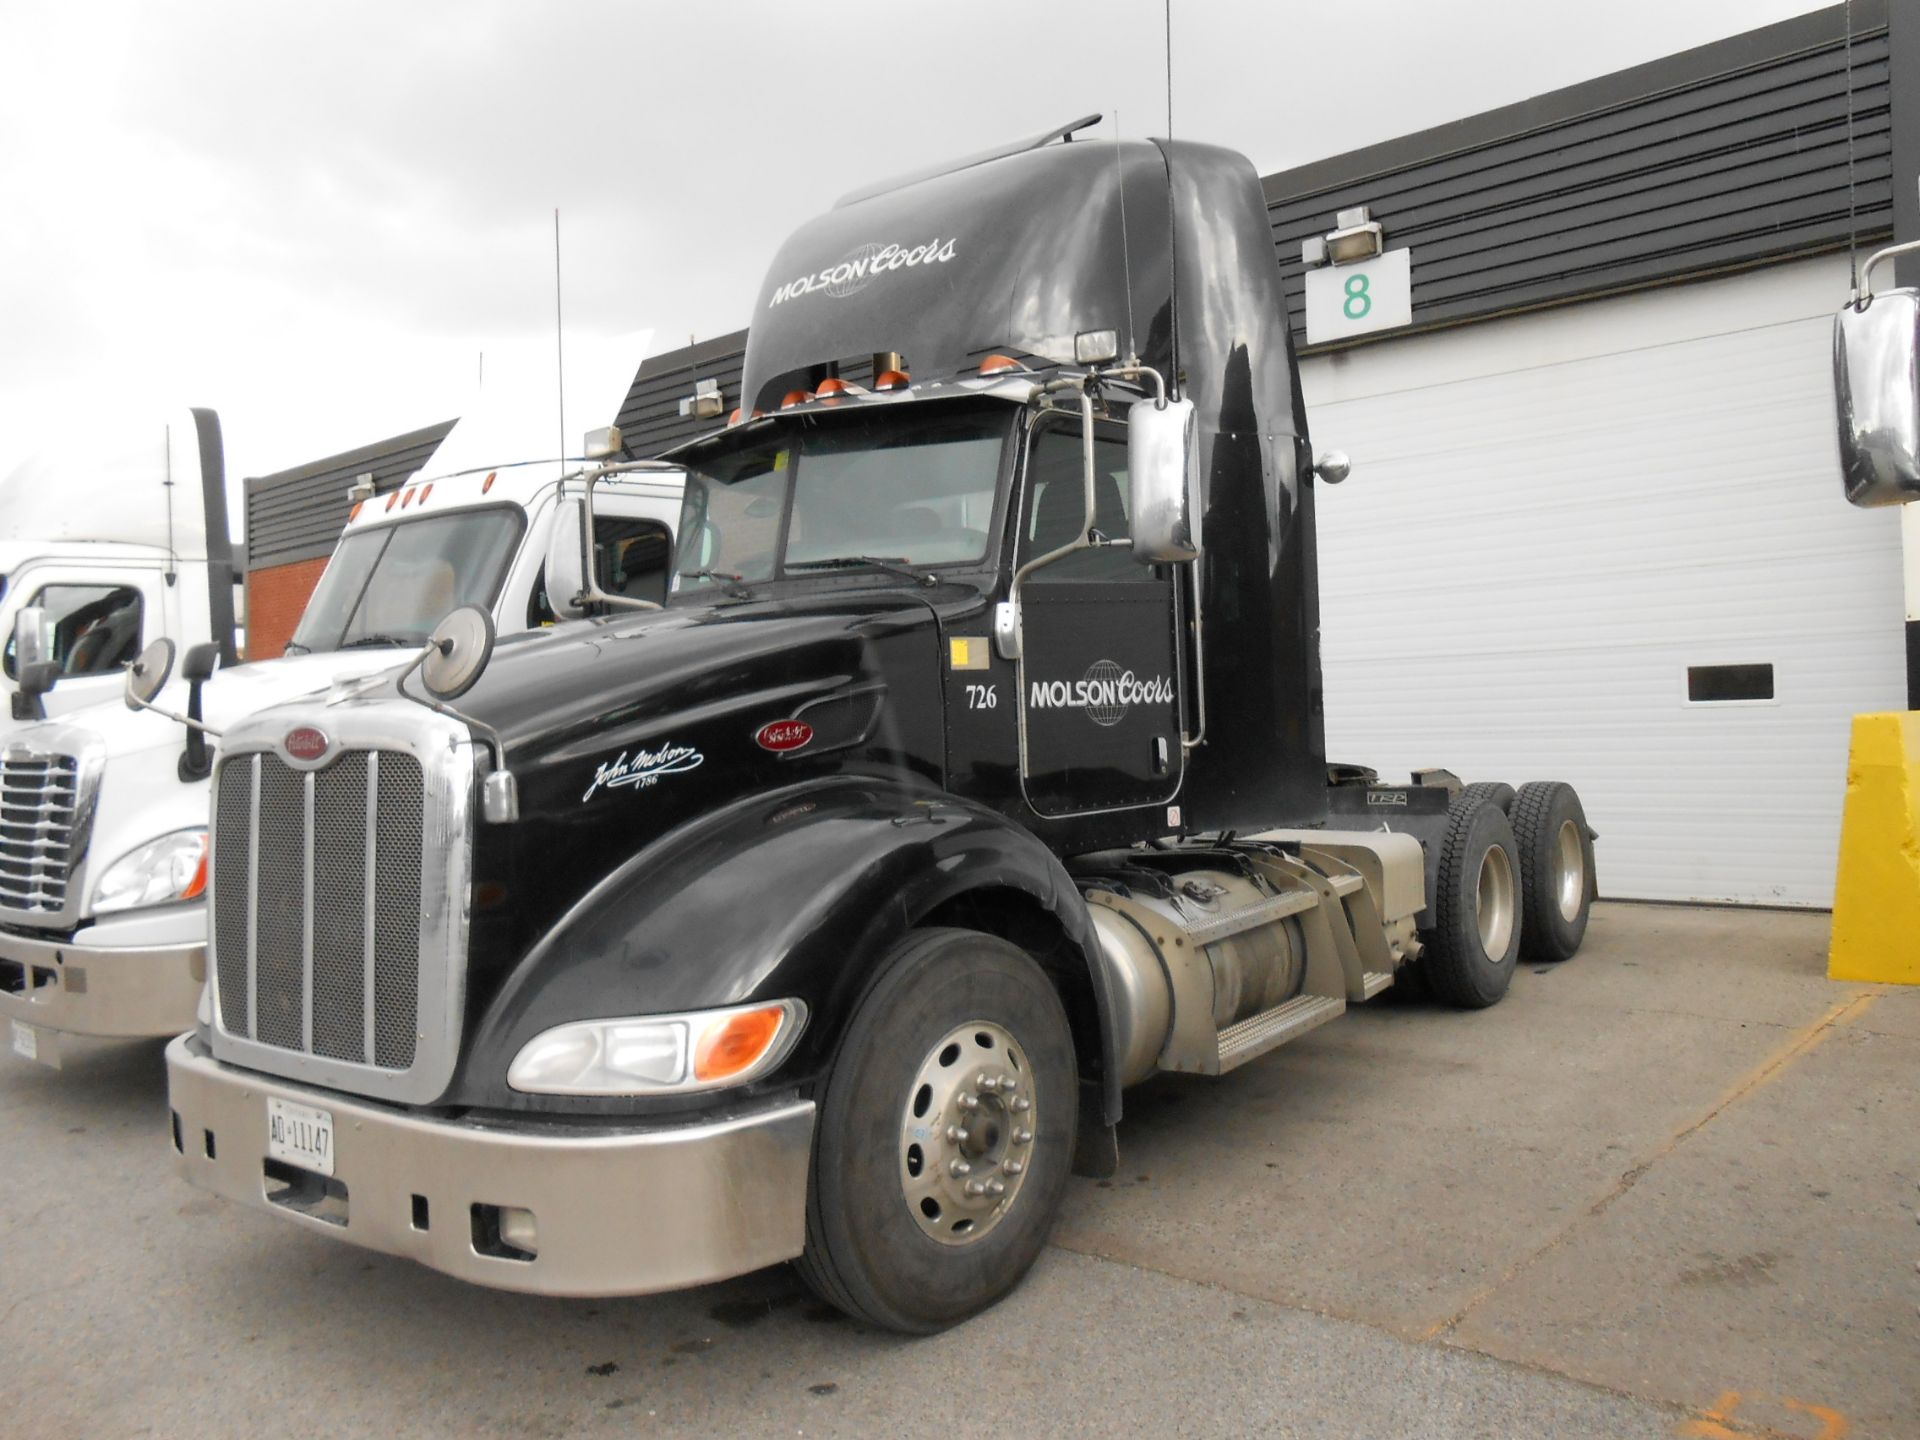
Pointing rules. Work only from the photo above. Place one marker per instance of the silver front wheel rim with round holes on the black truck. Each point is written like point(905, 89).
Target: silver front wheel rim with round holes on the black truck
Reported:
point(967, 1134)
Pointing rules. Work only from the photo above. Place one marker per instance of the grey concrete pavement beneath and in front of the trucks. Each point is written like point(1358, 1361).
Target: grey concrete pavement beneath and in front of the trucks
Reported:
point(1664, 1189)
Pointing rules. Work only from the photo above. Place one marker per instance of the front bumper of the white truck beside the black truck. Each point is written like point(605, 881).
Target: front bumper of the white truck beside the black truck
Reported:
point(84, 990)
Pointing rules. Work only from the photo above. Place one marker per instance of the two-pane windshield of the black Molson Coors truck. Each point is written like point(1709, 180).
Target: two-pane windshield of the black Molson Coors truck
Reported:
point(900, 485)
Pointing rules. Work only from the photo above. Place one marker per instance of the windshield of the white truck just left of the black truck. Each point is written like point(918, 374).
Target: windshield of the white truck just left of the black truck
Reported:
point(395, 585)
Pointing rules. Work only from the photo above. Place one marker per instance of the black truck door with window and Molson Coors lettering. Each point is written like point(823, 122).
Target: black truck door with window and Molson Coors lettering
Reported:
point(1099, 681)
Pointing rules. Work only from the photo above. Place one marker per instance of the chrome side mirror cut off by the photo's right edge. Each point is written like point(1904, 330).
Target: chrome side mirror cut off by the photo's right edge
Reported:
point(1877, 385)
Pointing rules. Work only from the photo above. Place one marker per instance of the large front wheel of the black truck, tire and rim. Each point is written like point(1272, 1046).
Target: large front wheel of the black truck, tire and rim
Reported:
point(944, 1138)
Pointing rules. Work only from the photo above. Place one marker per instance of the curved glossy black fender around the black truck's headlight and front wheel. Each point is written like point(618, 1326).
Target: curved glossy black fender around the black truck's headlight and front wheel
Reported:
point(792, 894)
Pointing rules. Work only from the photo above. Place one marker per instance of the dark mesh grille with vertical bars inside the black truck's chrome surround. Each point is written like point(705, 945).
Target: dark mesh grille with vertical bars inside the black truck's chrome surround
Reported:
point(318, 905)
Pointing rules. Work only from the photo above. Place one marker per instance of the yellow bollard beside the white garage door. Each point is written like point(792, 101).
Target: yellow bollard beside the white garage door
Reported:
point(1877, 896)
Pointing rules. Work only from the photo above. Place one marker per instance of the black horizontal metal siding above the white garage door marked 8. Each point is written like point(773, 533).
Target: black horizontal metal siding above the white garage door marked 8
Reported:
point(1712, 160)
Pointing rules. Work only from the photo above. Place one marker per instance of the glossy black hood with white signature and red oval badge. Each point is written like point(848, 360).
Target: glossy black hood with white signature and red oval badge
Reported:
point(623, 731)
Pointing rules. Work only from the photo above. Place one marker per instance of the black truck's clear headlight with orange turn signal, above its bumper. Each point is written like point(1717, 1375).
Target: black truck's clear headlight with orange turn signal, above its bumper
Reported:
point(660, 1055)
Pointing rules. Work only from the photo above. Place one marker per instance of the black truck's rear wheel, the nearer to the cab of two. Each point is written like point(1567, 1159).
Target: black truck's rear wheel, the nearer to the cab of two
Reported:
point(1476, 940)
